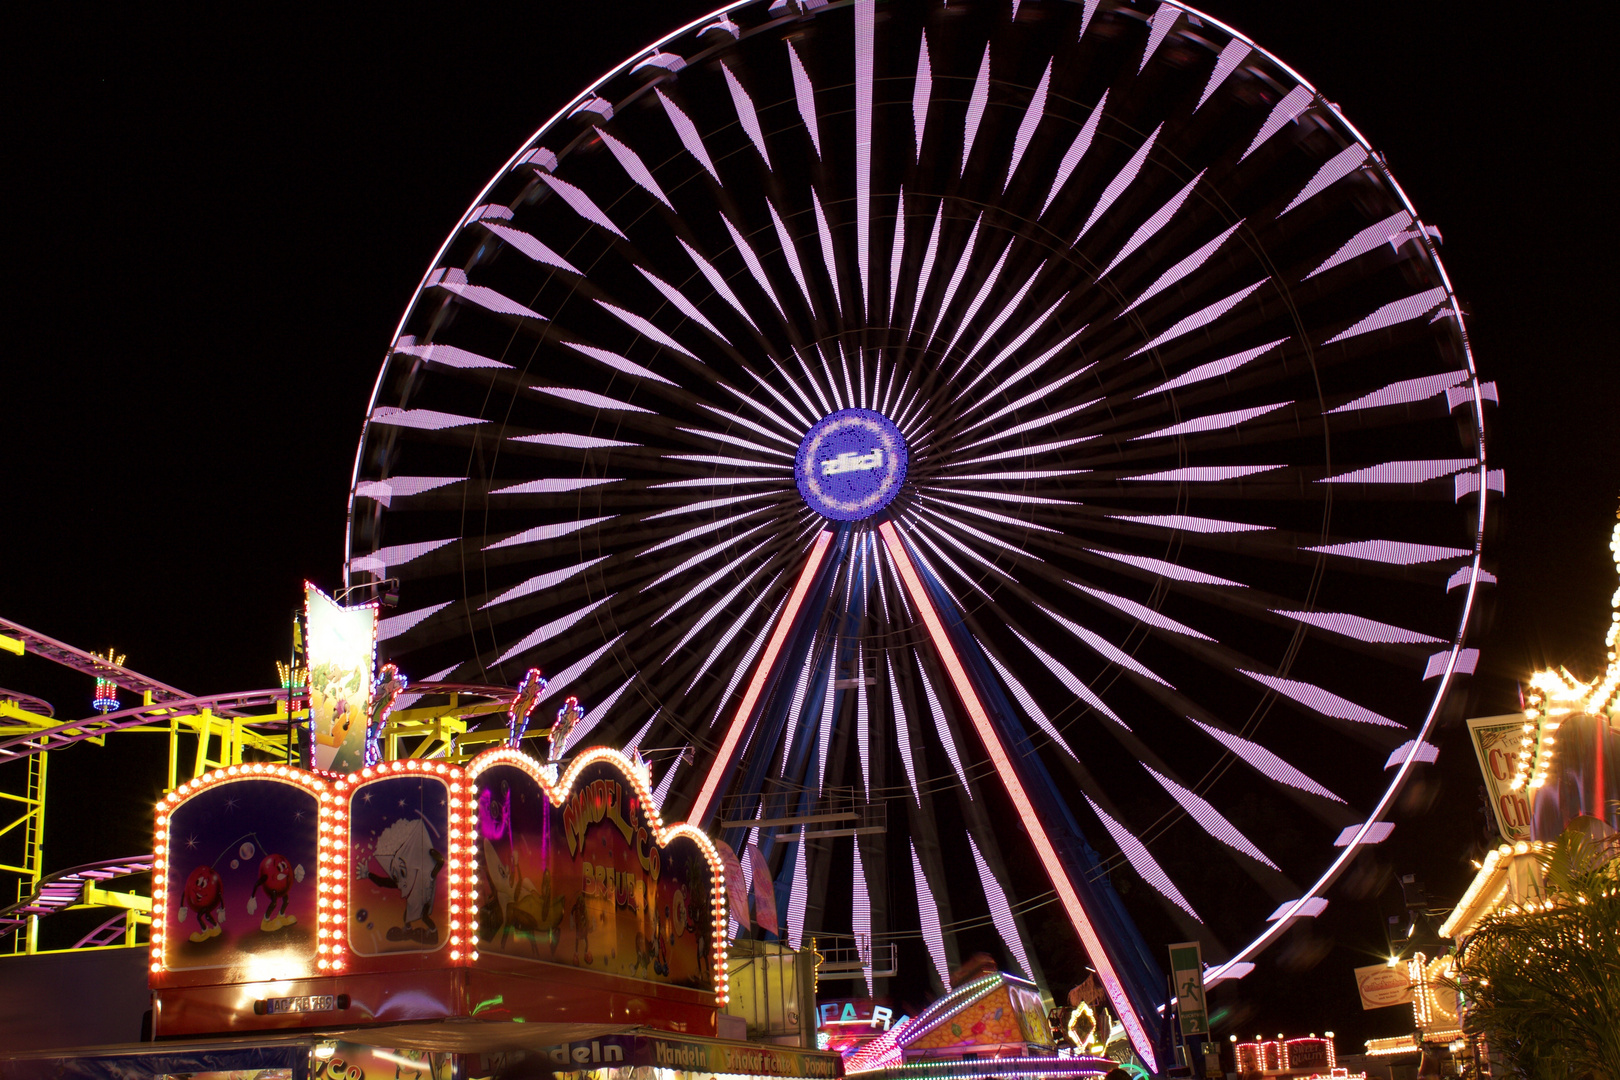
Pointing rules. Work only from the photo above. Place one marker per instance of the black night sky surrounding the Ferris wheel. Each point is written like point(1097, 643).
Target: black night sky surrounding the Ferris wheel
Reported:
point(216, 224)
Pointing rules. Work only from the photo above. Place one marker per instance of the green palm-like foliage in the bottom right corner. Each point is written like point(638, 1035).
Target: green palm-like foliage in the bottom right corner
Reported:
point(1543, 985)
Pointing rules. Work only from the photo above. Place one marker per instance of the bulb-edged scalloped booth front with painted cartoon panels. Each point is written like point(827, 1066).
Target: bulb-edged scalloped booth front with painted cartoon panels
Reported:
point(414, 914)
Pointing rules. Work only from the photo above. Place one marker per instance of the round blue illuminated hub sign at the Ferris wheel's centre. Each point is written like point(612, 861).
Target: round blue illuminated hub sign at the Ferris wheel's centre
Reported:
point(851, 466)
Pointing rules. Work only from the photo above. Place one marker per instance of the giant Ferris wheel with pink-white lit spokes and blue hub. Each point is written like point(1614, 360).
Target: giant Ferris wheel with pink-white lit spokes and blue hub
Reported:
point(1047, 420)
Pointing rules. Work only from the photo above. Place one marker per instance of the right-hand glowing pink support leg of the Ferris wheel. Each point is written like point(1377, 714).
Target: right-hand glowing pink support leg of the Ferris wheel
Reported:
point(1136, 1026)
